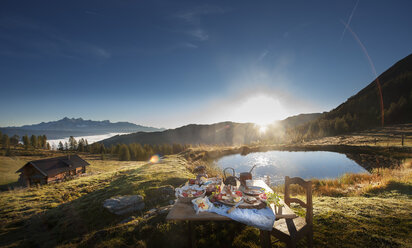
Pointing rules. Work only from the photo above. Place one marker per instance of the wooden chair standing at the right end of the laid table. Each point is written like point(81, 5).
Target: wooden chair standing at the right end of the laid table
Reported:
point(291, 230)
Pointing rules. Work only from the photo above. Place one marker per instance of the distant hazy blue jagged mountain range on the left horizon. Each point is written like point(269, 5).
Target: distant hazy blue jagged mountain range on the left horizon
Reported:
point(76, 127)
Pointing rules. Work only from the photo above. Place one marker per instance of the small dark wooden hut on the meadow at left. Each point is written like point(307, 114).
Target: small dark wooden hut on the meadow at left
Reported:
point(52, 169)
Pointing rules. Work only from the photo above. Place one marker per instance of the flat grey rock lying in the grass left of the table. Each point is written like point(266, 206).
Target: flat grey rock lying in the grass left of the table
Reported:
point(124, 204)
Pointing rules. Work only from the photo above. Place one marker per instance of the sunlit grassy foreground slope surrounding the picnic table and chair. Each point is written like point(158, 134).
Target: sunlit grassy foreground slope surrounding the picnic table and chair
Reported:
point(377, 214)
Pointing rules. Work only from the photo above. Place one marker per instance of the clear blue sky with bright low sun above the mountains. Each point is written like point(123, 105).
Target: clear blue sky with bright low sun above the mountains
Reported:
point(171, 63)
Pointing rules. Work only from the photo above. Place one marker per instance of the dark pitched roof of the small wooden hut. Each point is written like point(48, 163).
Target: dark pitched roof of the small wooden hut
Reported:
point(53, 166)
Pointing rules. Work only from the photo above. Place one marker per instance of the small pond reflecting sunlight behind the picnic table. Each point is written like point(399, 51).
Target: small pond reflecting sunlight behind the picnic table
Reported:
point(278, 164)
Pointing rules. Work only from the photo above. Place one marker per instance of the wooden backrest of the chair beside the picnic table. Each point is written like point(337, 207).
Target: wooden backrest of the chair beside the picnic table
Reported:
point(307, 185)
